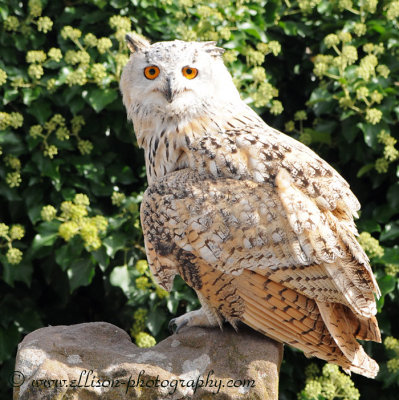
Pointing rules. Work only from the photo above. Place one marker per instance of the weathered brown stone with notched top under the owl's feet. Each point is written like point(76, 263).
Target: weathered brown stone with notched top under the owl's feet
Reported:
point(98, 361)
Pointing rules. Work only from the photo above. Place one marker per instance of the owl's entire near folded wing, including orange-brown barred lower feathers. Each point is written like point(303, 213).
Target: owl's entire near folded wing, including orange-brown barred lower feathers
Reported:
point(235, 242)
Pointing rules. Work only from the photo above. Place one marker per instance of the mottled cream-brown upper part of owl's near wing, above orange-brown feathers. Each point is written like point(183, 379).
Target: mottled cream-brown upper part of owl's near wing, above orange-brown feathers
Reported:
point(275, 230)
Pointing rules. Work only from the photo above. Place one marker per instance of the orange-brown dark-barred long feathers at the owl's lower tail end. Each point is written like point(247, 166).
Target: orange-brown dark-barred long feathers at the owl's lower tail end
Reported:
point(292, 318)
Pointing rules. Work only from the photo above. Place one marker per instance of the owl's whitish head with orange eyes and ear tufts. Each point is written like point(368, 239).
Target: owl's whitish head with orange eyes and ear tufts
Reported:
point(175, 79)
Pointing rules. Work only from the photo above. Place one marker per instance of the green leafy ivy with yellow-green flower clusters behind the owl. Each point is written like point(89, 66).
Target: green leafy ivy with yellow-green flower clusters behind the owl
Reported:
point(72, 176)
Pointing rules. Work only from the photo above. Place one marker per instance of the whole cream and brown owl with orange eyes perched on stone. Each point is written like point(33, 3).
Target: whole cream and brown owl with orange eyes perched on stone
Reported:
point(254, 221)
